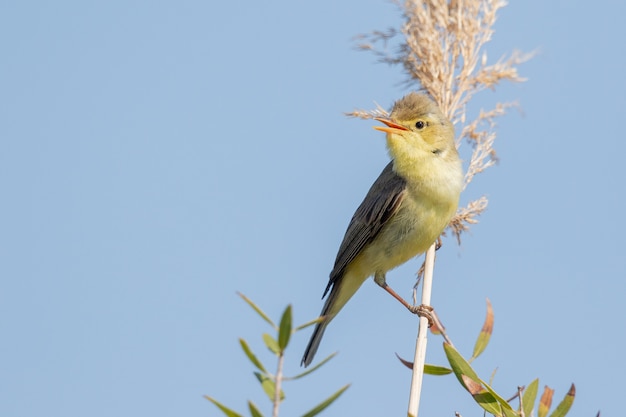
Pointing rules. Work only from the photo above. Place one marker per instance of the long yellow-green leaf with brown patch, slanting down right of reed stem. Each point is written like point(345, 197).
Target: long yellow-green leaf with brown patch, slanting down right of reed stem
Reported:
point(464, 372)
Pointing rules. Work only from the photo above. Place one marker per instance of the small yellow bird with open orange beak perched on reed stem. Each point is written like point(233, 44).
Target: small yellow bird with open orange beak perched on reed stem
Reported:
point(405, 210)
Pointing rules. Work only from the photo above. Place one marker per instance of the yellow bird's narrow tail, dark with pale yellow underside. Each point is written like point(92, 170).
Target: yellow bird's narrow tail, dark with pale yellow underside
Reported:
point(342, 290)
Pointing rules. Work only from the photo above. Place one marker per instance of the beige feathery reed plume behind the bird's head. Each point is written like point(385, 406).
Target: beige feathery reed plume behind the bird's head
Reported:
point(441, 51)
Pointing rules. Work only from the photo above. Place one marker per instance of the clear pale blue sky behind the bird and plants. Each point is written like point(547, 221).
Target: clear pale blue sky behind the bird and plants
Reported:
point(158, 157)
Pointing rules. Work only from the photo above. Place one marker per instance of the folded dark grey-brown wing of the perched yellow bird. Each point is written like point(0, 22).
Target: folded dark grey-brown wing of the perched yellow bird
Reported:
point(380, 203)
